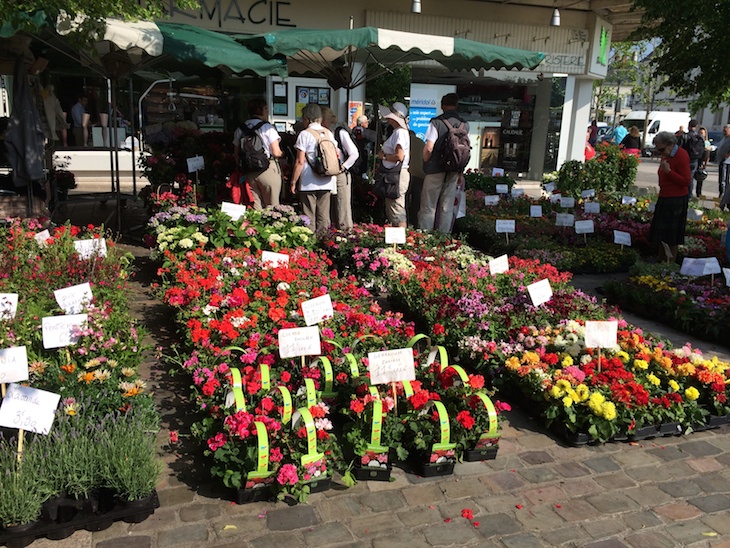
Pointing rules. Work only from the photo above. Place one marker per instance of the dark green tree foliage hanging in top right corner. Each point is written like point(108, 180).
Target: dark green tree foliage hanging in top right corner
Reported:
point(692, 54)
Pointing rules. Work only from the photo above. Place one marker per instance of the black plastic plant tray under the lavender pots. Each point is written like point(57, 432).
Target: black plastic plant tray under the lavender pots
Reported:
point(84, 518)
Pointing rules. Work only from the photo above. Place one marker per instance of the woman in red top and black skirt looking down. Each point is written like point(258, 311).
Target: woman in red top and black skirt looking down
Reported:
point(670, 216)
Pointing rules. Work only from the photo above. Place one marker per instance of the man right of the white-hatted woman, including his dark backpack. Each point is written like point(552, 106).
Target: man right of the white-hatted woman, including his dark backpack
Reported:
point(445, 156)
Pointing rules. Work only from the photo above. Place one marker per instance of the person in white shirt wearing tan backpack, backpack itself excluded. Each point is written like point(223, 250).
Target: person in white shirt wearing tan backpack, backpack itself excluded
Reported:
point(314, 190)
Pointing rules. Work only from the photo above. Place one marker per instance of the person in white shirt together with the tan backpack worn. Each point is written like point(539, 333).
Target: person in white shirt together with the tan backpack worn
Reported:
point(316, 168)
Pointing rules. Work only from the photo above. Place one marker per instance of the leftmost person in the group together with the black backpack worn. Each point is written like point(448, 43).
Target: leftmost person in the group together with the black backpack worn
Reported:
point(256, 149)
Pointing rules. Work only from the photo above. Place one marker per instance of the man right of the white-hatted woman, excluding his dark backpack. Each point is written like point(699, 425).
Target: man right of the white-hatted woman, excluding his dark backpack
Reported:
point(439, 188)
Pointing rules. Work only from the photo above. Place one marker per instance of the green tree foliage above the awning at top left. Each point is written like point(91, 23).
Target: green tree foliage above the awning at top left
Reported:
point(88, 15)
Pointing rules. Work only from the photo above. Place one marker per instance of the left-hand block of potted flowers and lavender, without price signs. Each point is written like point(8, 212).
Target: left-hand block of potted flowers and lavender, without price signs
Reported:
point(101, 439)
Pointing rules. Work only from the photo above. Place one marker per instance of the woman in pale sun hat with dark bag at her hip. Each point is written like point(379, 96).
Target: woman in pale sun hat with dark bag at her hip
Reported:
point(395, 152)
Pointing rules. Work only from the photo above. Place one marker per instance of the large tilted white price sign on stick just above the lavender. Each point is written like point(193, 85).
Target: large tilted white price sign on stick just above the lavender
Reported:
point(30, 409)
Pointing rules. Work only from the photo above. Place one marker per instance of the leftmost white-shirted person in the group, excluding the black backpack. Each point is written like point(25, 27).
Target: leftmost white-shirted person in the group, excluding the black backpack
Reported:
point(265, 185)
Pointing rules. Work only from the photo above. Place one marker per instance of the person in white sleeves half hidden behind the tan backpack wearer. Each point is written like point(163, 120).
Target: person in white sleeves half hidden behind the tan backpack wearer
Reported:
point(342, 199)
